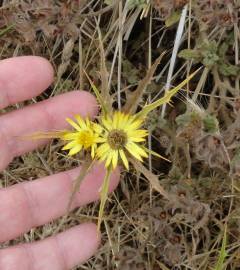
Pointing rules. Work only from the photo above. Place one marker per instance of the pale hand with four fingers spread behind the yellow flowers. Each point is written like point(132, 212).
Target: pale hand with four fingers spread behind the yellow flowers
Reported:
point(33, 203)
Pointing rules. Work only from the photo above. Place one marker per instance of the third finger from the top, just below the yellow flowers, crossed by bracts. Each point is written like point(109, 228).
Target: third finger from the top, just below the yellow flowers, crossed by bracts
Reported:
point(32, 204)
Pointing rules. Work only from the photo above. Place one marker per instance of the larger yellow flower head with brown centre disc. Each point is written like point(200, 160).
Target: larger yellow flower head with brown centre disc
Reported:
point(121, 136)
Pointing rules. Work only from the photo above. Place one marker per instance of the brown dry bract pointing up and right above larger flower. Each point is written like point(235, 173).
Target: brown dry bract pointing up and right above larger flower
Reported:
point(134, 100)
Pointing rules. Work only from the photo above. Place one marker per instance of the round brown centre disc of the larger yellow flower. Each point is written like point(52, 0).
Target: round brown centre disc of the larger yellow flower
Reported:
point(117, 139)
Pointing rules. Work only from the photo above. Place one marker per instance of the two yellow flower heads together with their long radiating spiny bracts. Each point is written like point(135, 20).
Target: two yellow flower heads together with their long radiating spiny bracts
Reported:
point(116, 137)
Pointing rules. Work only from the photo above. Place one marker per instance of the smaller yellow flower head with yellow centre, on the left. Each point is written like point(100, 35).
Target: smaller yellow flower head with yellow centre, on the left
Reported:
point(86, 135)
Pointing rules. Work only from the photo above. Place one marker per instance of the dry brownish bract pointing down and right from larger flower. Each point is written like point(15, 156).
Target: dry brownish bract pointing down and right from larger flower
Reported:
point(153, 179)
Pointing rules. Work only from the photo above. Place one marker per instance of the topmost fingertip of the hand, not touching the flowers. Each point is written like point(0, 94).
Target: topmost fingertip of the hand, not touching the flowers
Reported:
point(22, 78)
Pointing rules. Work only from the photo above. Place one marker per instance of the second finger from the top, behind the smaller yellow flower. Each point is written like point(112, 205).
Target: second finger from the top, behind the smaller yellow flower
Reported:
point(47, 115)
